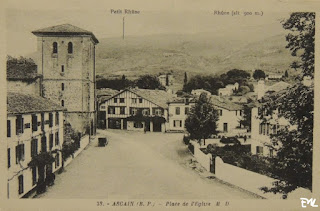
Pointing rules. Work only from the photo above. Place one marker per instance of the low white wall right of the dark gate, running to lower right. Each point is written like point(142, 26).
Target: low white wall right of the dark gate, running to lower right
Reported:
point(252, 181)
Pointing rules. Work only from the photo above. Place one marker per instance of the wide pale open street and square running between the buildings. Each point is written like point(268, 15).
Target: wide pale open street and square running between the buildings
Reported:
point(135, 165)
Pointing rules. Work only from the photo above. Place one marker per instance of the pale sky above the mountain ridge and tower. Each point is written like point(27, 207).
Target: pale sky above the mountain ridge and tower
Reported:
point(169, 17)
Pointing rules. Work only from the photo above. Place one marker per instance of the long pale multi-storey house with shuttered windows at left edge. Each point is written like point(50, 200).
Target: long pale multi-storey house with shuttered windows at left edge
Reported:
point(34, 125)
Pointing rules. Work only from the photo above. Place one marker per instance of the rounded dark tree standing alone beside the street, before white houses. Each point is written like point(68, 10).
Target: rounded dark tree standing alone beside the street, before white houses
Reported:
point(202, 119)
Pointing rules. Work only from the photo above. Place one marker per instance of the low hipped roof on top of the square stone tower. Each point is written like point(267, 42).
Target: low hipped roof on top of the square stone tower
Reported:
point(64, 29)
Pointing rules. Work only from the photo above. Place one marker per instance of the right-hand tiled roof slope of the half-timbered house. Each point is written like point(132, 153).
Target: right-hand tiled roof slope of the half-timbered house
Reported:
point(158, 97)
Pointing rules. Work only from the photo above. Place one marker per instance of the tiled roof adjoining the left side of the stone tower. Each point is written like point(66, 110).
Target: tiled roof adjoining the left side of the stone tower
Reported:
point(22, 72)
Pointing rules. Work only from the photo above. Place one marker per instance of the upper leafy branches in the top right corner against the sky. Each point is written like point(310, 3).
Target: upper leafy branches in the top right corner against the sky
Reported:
point(301, 39)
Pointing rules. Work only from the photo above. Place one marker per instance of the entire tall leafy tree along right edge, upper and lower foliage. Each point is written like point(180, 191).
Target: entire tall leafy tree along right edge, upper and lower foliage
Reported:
point(293, 161)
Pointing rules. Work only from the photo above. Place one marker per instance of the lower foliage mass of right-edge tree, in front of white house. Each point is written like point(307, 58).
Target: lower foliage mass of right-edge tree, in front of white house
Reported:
point(293, 146)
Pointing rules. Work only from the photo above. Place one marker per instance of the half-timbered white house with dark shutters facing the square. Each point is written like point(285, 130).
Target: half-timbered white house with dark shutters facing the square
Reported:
point(137, 109)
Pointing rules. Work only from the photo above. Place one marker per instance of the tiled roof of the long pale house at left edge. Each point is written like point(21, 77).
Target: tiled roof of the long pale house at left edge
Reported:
point(18, 103)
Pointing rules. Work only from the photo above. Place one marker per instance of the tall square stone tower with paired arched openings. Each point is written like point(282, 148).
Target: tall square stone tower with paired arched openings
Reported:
point(66, 60)
